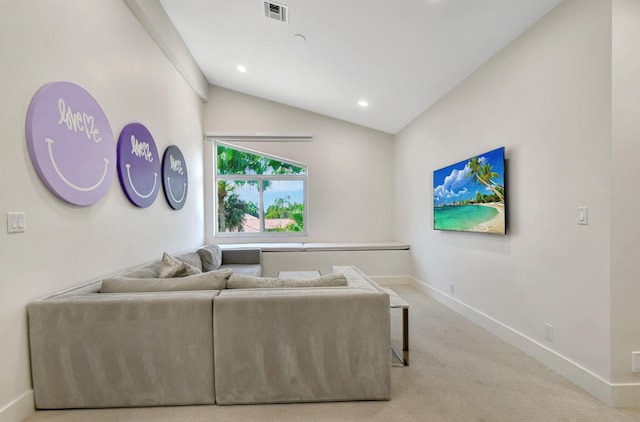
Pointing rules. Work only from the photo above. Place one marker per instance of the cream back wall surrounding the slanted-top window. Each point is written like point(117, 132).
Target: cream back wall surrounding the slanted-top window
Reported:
point(350, 197)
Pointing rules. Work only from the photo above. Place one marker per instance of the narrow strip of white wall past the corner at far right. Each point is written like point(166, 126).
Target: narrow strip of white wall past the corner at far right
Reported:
point(625, 198)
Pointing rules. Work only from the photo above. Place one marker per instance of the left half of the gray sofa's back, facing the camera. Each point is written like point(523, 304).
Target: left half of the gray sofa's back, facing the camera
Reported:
point(120, 350)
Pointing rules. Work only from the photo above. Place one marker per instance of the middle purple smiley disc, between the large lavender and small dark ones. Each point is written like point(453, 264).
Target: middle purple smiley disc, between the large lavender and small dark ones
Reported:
point(138, 165)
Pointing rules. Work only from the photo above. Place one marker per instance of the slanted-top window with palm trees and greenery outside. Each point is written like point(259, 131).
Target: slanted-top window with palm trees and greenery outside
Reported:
point(258, 193)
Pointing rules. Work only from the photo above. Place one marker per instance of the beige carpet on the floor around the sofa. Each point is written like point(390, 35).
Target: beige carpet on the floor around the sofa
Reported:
point(459, 372)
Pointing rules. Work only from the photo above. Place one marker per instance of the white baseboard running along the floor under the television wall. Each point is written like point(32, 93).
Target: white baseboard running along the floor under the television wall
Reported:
point(616, 395)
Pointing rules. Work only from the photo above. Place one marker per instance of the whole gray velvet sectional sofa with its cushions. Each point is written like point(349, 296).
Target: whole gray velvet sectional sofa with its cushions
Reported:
point(210, 331)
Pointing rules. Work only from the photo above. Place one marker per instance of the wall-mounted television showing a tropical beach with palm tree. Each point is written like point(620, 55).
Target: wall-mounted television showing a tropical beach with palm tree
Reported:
point(470, 195)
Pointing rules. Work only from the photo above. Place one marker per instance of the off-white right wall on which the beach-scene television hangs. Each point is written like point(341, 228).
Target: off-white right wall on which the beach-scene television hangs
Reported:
point(547, 99)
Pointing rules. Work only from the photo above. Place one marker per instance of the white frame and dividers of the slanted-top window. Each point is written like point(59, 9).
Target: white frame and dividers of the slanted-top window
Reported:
point(261, 178)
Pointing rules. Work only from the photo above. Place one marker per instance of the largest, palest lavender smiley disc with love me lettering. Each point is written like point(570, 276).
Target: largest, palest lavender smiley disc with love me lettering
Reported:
point(70, 143)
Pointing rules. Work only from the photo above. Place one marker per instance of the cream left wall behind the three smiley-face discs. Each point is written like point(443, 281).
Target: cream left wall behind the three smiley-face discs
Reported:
point(100, 46)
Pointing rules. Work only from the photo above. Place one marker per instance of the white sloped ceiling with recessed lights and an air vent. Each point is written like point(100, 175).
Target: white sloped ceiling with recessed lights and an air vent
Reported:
point(399, 56)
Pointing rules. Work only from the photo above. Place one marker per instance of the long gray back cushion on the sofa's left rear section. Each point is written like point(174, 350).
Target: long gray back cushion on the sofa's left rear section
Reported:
point(211, 280)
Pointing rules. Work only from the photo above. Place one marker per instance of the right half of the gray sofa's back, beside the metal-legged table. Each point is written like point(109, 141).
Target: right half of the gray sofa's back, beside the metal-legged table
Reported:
point(301, 345)
